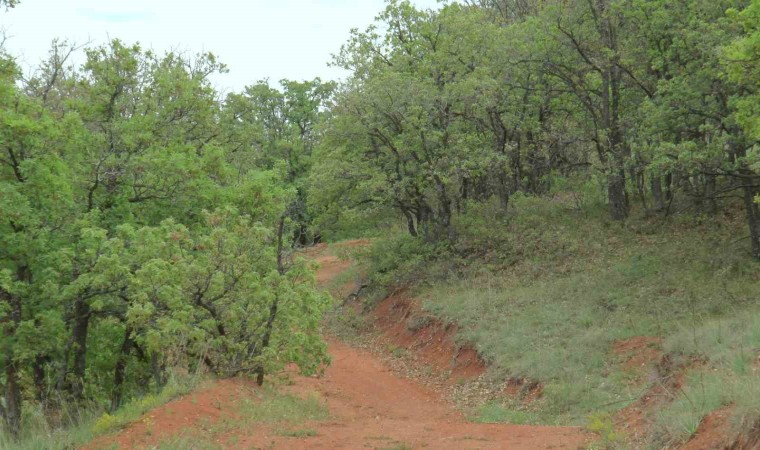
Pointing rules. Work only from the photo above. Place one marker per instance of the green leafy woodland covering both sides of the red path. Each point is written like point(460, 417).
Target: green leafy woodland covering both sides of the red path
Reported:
point(151, 227)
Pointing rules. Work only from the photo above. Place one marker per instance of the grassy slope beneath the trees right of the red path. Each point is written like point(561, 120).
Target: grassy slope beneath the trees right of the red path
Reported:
point(545, 291)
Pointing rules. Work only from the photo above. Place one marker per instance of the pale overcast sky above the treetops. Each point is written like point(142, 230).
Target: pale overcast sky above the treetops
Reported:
point(256, 38)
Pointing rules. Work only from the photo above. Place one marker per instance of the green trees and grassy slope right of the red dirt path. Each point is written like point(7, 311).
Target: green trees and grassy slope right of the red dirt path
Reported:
point(565, 177)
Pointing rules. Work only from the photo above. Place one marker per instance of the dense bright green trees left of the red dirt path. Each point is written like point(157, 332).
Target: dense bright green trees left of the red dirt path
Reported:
point(137, 235)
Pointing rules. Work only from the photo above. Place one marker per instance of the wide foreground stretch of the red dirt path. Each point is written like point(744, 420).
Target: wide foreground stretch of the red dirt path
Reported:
point(371, 407)
